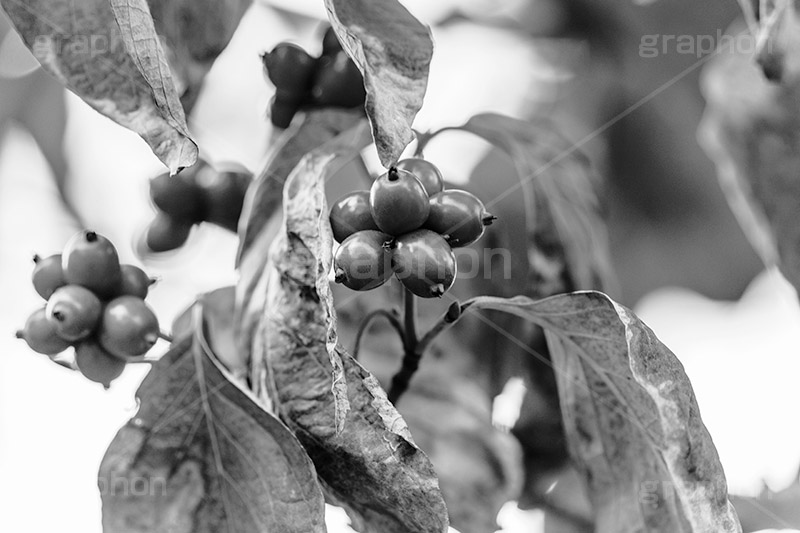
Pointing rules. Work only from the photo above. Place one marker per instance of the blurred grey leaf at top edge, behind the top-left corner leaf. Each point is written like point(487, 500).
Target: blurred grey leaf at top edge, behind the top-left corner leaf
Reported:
point(196, 32)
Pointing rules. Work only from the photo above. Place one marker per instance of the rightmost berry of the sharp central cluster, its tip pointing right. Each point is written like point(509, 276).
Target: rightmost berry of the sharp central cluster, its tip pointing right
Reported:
point(459, 215)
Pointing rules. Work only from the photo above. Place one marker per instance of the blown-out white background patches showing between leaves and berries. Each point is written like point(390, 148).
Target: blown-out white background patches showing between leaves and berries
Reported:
point(742, 356)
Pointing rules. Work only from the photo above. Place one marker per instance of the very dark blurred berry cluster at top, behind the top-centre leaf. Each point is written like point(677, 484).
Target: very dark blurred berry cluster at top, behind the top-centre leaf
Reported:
point(303, 81)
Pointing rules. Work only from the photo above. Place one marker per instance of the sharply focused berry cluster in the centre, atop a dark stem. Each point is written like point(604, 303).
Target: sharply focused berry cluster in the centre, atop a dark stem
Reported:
point(406, 225)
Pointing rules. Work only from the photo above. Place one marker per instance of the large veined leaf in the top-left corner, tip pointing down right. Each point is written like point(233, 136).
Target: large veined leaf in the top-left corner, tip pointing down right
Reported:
point(79, 44)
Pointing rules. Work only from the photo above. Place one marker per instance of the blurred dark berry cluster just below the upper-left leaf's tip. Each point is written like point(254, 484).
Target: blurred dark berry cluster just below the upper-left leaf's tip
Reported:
point(199, 194)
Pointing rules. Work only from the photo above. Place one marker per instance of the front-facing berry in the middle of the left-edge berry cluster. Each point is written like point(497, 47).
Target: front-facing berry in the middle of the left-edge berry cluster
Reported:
point(74, 311)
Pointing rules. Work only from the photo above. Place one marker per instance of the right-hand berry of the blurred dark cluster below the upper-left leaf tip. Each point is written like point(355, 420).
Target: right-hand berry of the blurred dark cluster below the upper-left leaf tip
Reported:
point(224, 194)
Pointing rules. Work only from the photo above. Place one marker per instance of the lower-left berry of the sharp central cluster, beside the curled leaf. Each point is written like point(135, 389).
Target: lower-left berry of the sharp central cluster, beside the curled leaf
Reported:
point(362, 262)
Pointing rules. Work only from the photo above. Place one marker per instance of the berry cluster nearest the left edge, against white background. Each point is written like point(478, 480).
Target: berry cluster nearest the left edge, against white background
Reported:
point(94, 304)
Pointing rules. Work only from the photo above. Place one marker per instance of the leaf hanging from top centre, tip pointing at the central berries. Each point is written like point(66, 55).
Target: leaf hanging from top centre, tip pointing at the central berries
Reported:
point(393, 50)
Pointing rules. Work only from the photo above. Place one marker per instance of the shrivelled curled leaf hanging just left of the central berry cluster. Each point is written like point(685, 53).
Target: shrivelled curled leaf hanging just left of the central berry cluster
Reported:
point(367, 460)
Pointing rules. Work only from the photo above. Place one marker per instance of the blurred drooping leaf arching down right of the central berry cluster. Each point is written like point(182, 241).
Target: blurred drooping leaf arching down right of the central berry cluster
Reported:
point(567, 240)
